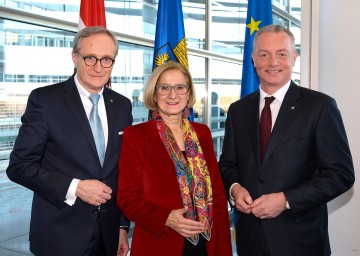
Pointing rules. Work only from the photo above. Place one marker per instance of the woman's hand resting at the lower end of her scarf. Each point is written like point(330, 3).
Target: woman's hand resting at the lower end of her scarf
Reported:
point(183, 226)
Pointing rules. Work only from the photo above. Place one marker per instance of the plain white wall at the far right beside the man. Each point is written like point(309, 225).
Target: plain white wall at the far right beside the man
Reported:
point(339, 77)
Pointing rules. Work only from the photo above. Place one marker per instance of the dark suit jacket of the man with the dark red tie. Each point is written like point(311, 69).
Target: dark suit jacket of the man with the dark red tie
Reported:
point(308, 158)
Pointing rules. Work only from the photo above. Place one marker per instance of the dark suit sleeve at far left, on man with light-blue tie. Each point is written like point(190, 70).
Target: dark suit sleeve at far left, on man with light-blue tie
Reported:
point(25, 159)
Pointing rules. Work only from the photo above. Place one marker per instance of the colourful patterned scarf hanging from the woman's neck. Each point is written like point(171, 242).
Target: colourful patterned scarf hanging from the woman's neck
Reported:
point(192, 174)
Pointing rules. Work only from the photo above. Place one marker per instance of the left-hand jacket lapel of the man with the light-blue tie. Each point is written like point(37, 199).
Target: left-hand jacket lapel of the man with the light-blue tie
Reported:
point(72, 97)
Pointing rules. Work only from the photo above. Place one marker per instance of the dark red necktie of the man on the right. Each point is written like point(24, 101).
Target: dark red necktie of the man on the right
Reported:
point(265, 126)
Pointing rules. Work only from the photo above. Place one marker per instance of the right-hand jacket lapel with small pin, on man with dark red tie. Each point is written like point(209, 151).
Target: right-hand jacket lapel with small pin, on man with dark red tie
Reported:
point(288, 110)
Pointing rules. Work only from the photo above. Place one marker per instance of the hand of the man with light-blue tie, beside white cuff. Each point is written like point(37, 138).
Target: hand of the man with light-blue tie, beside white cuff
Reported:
point(93, 192)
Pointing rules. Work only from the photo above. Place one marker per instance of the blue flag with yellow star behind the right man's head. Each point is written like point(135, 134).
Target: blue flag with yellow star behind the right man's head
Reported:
point(259, 14)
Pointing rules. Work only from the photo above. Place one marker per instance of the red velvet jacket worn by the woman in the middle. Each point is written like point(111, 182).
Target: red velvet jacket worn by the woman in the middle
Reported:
point(148, 191)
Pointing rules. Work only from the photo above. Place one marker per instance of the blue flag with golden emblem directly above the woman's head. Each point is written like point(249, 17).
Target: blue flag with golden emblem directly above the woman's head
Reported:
point(170, 40)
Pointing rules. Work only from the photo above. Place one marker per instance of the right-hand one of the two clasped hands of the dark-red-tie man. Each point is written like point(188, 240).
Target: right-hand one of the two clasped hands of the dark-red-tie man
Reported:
point(269, 206)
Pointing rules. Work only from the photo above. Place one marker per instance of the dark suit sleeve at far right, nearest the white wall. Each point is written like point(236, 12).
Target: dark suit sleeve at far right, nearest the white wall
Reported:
point(334, 172)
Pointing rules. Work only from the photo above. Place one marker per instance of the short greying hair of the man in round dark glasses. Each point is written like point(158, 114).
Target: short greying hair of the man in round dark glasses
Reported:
point(90, 31)
